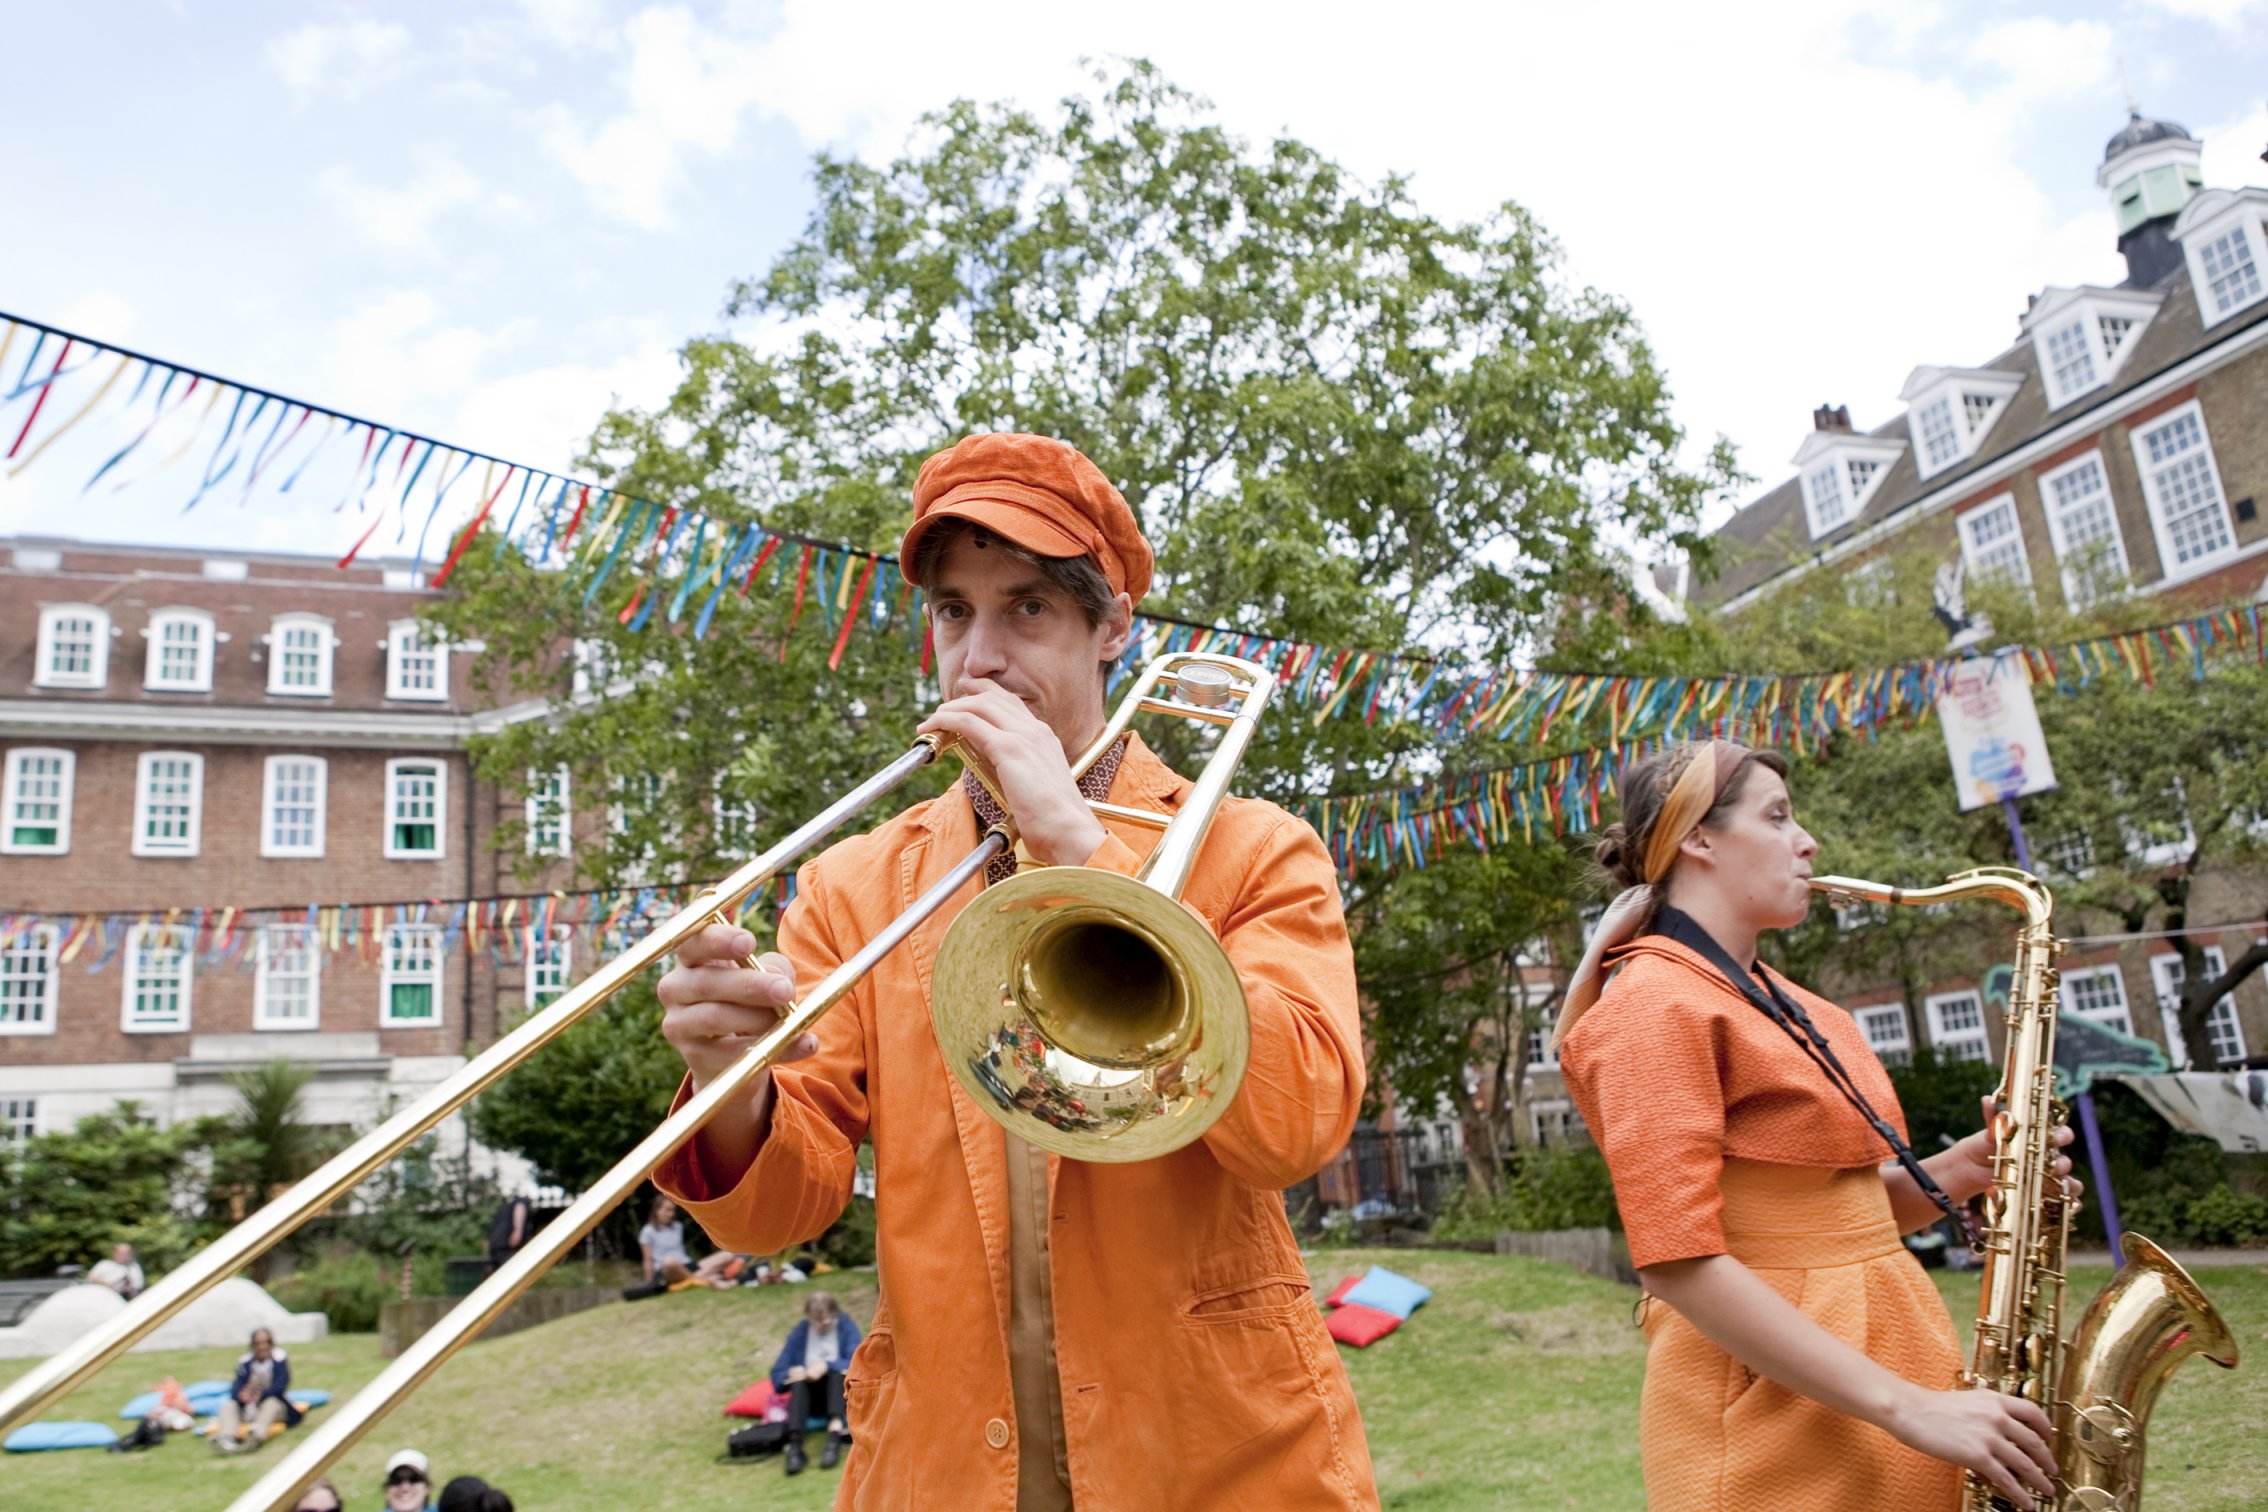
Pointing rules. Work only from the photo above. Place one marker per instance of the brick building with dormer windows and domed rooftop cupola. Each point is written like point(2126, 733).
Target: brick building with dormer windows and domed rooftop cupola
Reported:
point(2119, 443)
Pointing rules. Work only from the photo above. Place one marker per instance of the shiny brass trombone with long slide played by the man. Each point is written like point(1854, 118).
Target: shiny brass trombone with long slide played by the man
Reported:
point(1090, 1012)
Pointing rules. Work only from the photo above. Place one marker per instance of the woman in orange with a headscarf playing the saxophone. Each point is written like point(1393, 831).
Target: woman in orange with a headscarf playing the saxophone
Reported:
point(1797, 1352)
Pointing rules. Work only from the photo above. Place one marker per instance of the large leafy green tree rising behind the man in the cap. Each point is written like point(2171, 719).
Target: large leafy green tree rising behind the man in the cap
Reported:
point(1342, 421)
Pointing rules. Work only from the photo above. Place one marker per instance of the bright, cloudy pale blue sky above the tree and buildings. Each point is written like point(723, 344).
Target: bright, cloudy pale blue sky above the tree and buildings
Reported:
point(491, 219)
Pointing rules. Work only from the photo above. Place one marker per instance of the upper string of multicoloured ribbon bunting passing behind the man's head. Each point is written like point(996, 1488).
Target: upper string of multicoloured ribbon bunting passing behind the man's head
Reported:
point(675, 566)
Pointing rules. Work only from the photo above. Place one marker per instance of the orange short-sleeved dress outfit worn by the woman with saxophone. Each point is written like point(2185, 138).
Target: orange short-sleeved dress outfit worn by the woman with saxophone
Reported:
point(1727, 1139)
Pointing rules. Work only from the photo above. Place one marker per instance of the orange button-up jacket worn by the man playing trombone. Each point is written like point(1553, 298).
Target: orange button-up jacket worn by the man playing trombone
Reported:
point(1194, 1364)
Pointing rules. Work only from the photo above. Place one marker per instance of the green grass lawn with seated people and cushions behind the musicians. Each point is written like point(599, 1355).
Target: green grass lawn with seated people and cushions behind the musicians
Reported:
point(1514, 1388)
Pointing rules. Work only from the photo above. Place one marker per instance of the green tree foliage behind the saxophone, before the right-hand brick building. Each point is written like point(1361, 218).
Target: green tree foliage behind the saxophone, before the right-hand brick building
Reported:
point(2158, 785)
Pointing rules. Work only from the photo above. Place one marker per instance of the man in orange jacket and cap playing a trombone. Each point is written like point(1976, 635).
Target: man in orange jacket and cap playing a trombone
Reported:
point(1051, 1332)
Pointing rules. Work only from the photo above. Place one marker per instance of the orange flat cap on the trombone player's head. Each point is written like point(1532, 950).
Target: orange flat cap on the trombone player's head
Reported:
point(1038, 493)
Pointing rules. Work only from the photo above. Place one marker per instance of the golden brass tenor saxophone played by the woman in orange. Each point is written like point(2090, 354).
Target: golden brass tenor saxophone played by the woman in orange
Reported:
point(2101, 1384)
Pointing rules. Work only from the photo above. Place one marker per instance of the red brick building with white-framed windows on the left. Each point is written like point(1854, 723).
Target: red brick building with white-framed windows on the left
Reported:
point(226, 729)
